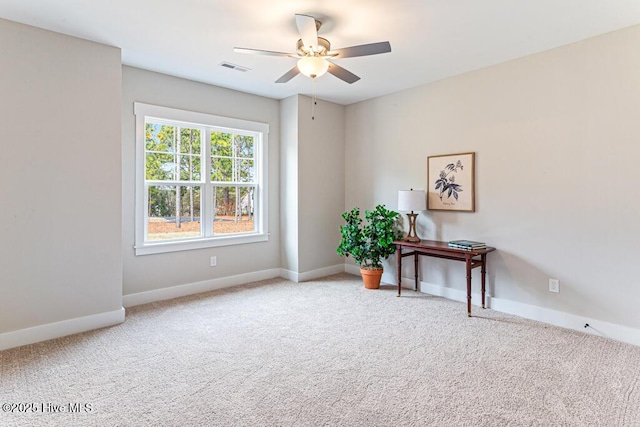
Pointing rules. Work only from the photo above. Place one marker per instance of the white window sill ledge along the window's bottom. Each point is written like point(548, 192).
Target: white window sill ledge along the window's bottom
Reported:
point(187, 245)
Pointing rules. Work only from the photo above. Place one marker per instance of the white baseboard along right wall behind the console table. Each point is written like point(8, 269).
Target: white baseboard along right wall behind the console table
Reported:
point(540, 314)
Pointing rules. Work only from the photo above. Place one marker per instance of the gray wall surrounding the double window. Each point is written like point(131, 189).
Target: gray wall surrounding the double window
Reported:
point(152, 272)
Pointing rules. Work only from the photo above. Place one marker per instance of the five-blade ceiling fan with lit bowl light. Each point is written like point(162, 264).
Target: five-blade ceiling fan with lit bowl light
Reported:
point(313, 53)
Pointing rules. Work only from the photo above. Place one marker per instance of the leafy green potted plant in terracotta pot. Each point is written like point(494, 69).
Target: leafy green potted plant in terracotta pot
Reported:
point(370, 243)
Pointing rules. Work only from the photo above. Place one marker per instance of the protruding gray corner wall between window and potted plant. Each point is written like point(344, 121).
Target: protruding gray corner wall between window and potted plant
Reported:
point(312, 185)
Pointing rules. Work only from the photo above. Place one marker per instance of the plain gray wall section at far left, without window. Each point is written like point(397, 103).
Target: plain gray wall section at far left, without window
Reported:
point(60, 180)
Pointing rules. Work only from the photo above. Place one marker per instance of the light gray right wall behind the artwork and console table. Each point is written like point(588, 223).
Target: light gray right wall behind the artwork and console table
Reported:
point(556, 137)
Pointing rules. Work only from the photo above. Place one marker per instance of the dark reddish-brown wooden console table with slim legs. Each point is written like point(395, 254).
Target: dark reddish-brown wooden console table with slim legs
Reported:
point(472, 259)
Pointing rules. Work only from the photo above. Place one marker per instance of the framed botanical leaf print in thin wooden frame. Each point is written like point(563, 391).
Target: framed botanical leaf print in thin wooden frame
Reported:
point(451, 182)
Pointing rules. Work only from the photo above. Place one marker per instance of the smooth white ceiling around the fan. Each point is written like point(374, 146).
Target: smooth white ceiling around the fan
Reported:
point(430, 39)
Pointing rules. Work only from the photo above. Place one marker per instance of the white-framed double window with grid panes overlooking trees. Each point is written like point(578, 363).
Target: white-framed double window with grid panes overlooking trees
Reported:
point(200, 180)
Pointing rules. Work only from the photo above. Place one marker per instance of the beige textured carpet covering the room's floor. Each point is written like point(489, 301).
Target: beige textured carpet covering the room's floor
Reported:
point(325, 352)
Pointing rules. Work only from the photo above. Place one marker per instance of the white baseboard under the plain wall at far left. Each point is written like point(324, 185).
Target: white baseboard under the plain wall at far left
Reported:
point(60, 329)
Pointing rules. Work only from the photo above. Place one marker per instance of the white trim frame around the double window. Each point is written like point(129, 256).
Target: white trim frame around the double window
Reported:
point(143, 111)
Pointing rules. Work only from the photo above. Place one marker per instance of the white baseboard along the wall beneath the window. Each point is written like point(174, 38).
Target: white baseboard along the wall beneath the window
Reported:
point(197, 287)
